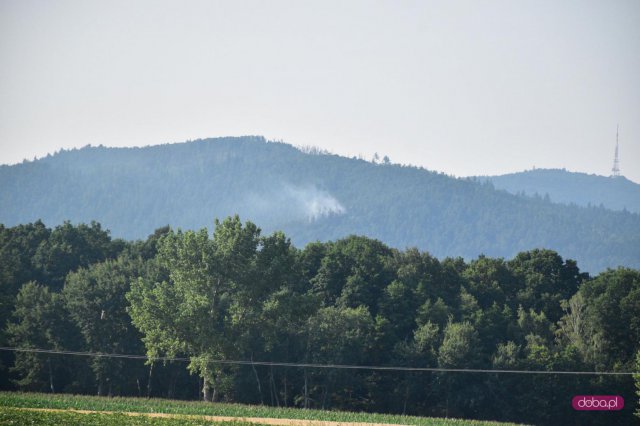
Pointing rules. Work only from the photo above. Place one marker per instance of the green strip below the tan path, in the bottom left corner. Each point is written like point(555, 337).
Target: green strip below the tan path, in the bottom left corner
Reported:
point(17, 416)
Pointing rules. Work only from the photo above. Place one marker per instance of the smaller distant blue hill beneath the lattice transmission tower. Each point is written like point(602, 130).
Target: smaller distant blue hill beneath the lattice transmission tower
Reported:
point(616, 193)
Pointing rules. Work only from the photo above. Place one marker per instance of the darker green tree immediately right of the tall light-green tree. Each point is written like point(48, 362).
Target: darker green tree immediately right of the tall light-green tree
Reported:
point(268, 314)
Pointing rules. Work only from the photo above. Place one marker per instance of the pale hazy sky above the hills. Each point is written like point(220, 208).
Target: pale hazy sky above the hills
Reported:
point(464, 87)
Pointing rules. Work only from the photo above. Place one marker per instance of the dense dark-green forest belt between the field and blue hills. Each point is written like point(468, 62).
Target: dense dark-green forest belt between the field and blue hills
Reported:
point(199, 297)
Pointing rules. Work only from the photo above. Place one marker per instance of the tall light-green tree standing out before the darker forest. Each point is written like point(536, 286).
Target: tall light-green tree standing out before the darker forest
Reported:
point(190, 313)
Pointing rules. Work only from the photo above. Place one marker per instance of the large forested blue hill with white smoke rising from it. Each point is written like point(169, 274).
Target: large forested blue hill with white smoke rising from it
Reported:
point(311, 197)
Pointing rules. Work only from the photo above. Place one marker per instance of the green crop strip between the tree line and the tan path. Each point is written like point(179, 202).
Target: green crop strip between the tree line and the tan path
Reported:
point(142, 405)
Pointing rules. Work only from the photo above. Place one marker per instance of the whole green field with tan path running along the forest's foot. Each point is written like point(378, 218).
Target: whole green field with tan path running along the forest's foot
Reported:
point(31, 408)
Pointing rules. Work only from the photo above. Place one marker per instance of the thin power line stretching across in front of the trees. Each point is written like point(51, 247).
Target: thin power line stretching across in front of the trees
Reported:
point(325, 366)
